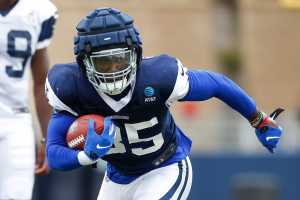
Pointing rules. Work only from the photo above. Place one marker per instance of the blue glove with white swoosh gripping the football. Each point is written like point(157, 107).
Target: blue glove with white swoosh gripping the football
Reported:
point(97, 145)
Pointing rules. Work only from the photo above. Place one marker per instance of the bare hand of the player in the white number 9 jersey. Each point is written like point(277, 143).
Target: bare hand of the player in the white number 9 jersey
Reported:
point(41, 166)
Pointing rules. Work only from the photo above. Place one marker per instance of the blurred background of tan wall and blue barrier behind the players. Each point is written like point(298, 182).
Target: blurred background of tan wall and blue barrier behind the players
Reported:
point(254, 42)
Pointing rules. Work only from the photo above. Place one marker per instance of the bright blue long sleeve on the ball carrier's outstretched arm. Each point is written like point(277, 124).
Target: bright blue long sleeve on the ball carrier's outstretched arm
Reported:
point(206, 84)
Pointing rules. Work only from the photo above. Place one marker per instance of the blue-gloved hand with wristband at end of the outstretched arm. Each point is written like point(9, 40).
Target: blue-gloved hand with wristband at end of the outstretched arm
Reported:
point(268, 132)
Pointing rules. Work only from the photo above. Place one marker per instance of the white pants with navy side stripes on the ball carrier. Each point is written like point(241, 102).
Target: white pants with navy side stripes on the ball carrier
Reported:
point(170, 182)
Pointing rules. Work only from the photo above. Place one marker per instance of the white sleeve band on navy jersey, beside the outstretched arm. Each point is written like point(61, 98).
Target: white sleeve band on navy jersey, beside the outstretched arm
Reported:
point(181, 86)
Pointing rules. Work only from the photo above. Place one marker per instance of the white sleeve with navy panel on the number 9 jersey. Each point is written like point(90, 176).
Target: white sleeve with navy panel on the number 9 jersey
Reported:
point(47, 16)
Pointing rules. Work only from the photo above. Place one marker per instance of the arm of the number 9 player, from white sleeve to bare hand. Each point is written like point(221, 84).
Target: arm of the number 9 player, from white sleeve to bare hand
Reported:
point(47, 15)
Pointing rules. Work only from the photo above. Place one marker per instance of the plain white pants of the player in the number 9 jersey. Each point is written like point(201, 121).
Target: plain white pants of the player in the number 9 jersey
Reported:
point(17, 157)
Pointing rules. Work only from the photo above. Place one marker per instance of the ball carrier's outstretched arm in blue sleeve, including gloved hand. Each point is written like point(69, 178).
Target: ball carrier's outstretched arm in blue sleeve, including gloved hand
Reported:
point(204, 85)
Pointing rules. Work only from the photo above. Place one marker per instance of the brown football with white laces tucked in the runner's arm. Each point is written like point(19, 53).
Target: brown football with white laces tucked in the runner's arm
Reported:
point(77, 131)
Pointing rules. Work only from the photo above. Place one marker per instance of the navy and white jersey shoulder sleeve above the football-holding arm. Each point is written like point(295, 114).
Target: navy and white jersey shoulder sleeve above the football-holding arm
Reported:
point(60, 91)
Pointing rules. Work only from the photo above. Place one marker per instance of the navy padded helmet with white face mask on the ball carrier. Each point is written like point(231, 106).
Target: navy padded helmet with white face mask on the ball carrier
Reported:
point(108, 49)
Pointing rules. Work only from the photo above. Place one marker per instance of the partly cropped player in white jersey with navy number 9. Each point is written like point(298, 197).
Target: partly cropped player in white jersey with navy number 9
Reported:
point(26, 28)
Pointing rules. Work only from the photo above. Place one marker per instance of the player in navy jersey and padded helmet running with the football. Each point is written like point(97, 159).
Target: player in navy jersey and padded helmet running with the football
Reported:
point(147, 154)
